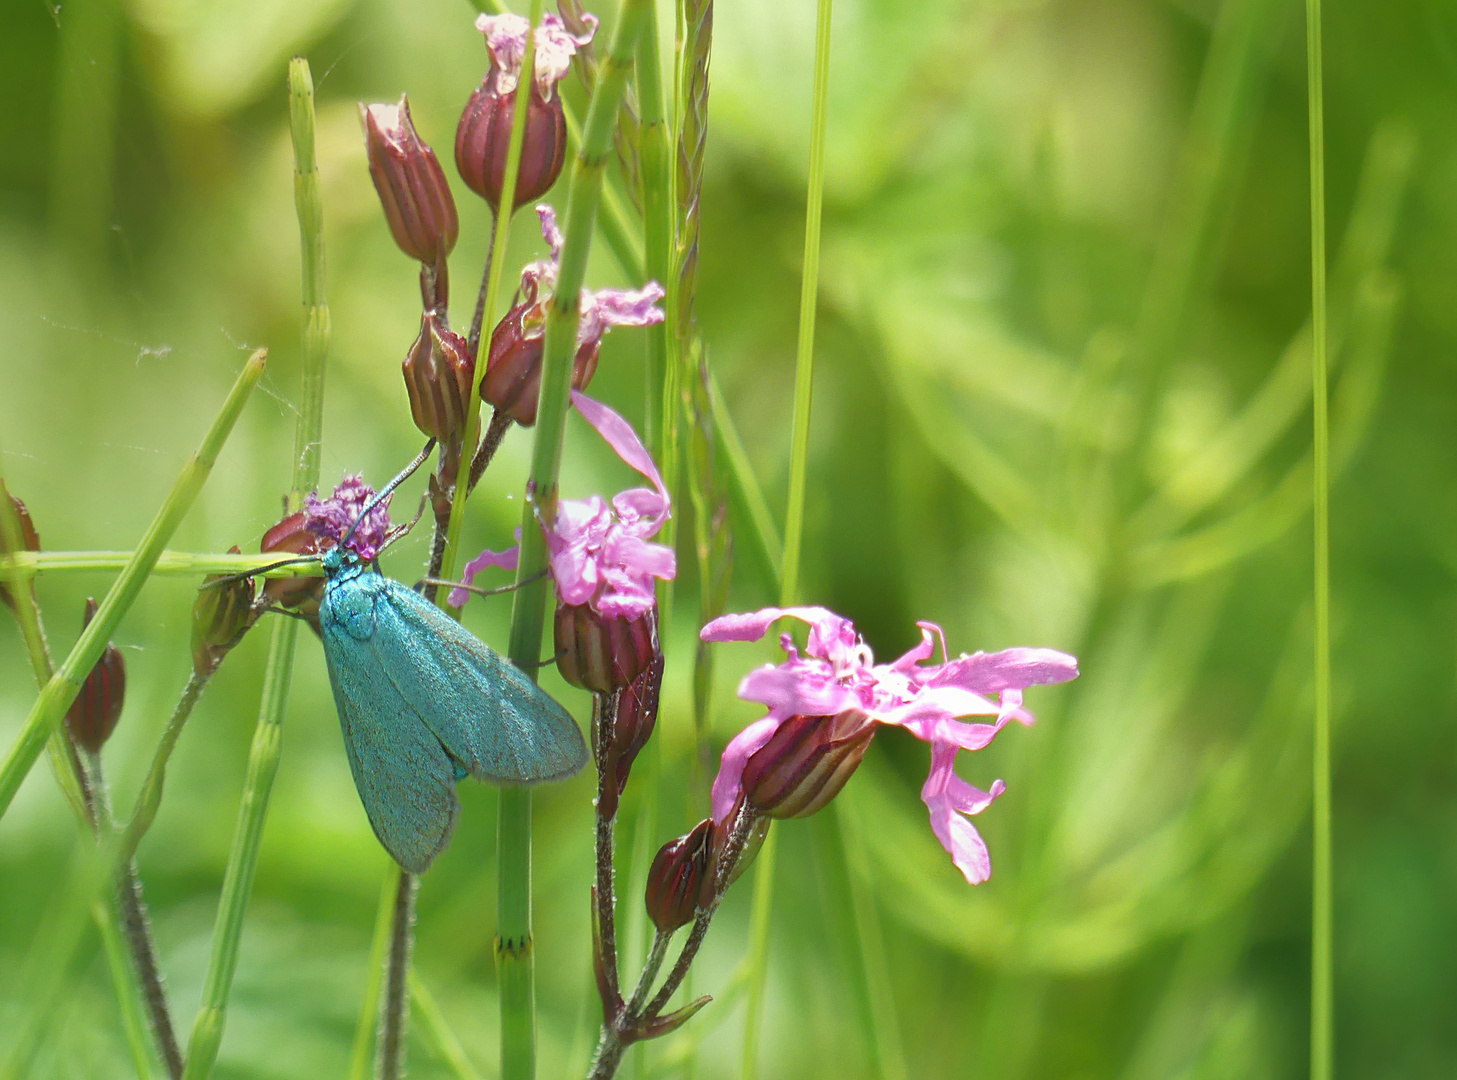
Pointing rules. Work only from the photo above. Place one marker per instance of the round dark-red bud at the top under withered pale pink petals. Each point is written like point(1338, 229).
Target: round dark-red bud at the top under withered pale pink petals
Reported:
point(486, 132)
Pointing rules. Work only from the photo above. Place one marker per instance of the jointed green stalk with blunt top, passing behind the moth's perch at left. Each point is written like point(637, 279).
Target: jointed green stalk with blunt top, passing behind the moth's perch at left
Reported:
point(263, 757)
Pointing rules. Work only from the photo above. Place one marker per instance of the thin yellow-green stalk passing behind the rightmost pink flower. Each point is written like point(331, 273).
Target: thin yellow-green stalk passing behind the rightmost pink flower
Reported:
point(763, 906)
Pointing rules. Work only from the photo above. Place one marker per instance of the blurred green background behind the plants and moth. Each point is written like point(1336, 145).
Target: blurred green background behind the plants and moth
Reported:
point(1061, 400)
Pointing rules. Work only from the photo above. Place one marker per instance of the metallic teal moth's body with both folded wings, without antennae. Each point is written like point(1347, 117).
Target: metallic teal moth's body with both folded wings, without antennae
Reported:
point(423, 703)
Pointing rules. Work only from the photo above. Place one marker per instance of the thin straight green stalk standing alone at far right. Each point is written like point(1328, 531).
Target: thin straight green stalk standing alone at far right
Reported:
point(1321, 929)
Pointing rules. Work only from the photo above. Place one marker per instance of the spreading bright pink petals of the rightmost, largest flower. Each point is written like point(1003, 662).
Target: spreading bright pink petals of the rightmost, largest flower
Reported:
point(839, 673)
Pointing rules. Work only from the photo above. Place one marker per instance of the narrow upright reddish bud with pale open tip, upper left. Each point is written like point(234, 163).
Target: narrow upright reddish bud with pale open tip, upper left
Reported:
point(410, 183)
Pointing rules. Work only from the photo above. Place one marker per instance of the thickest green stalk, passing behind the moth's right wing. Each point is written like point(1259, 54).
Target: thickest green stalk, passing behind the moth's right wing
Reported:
point(514, 944)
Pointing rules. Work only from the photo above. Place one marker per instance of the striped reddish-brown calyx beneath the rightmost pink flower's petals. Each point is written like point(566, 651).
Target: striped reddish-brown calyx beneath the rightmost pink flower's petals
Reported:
point(806, 763)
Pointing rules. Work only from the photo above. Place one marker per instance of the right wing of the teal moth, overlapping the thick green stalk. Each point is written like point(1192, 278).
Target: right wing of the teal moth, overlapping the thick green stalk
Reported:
point(493, 719)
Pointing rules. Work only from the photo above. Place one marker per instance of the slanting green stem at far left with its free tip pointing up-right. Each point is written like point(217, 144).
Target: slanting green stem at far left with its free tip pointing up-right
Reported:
point(66, 684)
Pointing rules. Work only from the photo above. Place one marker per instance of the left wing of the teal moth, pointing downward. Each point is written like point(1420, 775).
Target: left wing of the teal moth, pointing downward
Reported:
point(403, 773)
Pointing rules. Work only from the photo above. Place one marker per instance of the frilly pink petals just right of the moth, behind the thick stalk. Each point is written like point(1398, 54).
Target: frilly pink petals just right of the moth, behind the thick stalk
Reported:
point(600, 553)
